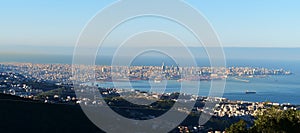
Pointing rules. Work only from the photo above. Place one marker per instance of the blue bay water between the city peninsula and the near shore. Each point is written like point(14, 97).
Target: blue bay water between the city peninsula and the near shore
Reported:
point(281, 89)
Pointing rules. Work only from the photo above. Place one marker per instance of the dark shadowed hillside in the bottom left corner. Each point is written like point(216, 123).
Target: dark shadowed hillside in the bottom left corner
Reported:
point(23, 115)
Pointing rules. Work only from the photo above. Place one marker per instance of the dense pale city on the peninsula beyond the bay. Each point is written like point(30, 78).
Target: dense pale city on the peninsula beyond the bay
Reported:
point(62, 73)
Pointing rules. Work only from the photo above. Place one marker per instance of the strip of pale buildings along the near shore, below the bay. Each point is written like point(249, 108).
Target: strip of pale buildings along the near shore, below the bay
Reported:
point(223, 108)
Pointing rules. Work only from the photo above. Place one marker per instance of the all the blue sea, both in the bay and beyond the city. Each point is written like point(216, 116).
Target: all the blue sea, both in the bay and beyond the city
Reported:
point(279, 89)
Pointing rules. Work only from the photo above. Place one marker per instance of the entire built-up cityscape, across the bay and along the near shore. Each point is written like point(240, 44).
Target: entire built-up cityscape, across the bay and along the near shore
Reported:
point(53, 84)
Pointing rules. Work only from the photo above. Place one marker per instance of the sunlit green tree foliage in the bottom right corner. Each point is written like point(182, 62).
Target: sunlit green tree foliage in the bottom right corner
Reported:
point(271, 121)
